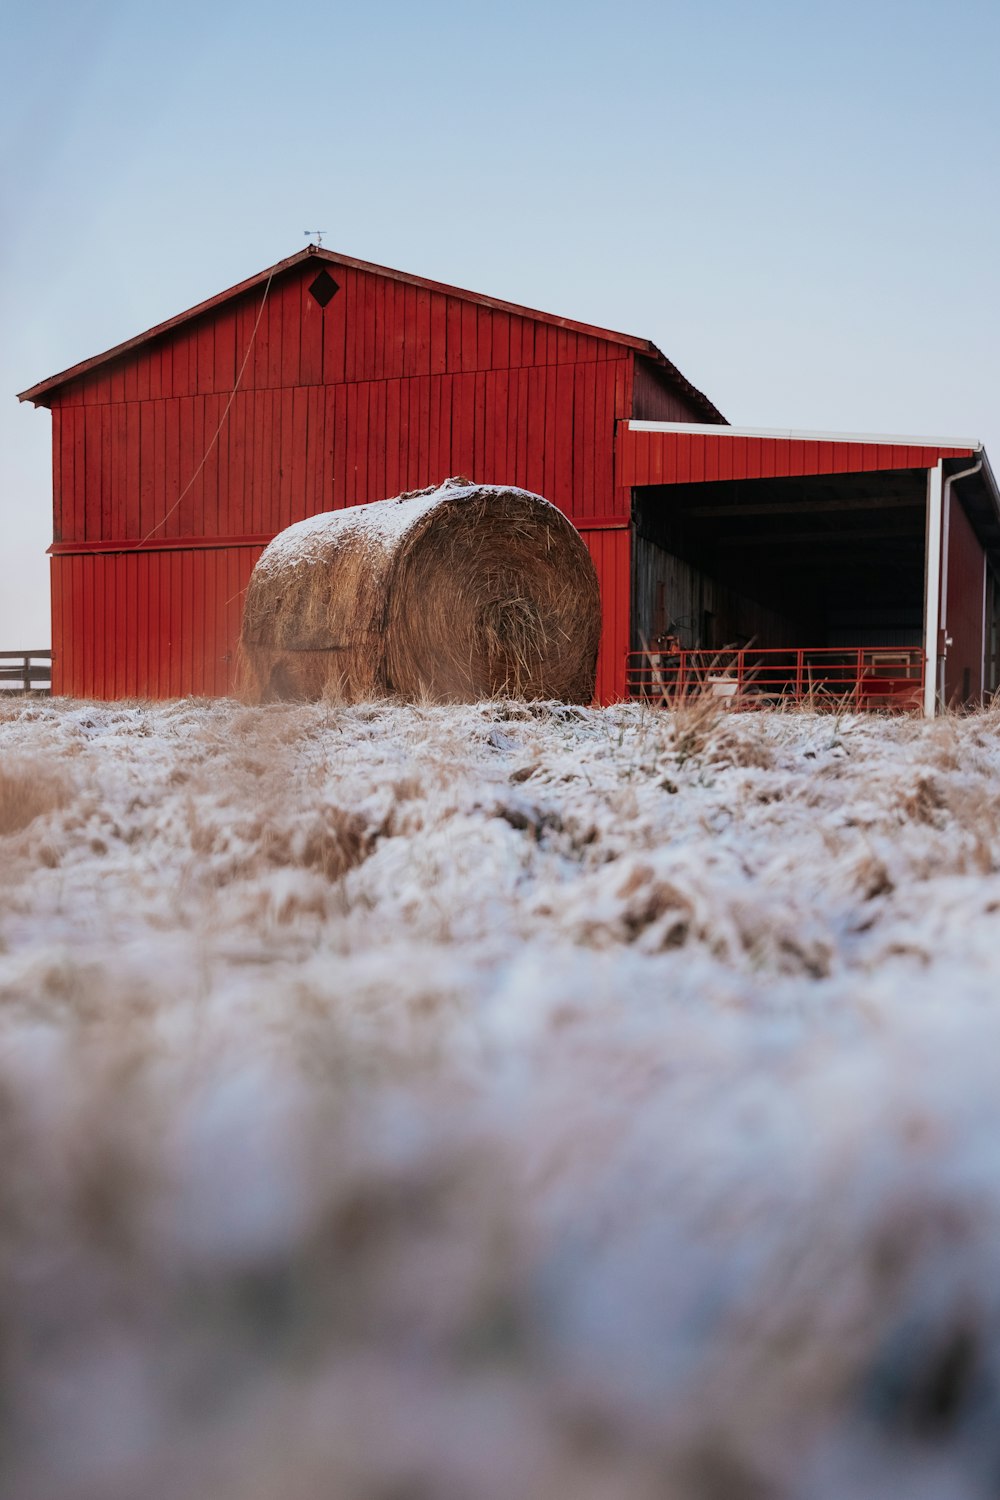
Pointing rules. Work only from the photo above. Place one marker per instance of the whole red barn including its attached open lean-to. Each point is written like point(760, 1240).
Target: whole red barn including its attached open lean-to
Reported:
point(328, 382)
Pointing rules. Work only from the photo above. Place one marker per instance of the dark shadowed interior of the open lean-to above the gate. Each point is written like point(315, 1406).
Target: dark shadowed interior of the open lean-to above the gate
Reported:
point(833, 560)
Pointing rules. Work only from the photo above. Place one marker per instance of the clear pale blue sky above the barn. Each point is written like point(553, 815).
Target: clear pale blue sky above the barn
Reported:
point(798, 203)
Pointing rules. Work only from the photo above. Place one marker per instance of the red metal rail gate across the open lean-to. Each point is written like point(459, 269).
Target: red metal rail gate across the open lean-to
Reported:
point(822, 677)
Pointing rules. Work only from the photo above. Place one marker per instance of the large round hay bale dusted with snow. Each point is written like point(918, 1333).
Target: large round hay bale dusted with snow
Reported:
point(454, 593)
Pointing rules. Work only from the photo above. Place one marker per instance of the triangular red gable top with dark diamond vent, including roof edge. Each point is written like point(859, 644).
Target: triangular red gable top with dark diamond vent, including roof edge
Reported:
point(406, 326)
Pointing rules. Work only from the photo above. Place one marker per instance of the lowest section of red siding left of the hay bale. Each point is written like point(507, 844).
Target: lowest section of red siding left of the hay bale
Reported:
point(148, 625)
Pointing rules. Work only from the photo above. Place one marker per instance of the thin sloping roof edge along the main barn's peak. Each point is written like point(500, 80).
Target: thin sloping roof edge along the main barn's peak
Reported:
point(46, 389)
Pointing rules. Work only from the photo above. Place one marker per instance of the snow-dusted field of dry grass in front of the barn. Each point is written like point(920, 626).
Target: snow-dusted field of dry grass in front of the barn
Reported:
point(499, 1103)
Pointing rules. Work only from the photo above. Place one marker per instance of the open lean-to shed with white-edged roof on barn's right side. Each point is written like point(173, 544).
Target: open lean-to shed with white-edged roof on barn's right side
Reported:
point(837, 539)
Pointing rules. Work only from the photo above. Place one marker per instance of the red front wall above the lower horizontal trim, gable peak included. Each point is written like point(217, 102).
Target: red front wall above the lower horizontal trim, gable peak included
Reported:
point(389, 388)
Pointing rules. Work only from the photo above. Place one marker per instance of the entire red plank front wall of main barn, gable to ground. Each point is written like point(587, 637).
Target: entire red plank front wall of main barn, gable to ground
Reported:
point(167, 484)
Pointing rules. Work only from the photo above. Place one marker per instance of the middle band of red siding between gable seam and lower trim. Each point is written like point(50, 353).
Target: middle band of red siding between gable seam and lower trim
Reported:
point(292, 452)
